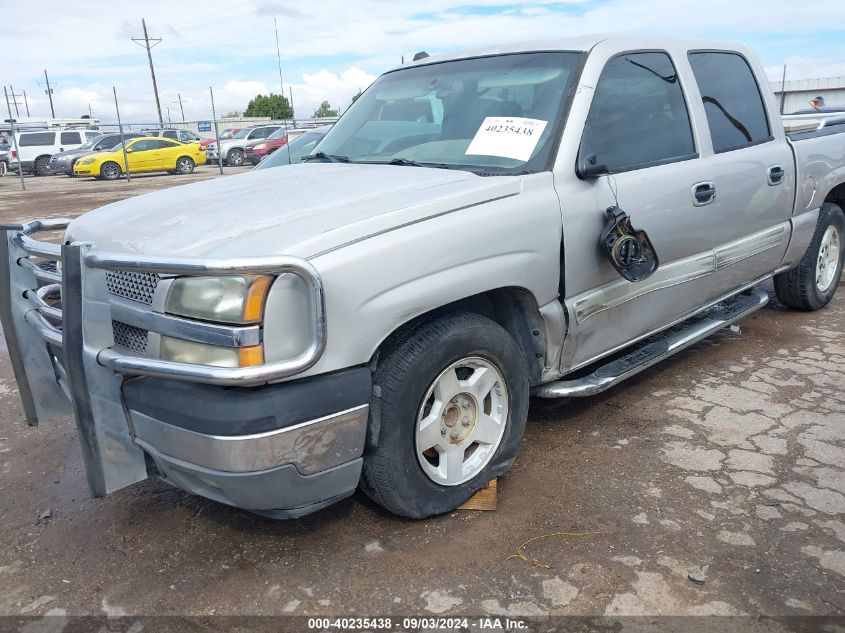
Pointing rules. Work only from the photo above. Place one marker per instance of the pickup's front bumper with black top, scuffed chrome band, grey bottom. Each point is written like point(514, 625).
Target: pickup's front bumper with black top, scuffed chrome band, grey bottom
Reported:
point(284, 449)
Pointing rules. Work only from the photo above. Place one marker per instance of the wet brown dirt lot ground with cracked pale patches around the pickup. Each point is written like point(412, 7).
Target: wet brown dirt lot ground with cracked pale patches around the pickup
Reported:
point(731, 456)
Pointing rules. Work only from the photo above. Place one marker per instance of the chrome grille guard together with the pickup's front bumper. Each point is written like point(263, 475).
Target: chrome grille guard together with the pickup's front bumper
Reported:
point(58, 317)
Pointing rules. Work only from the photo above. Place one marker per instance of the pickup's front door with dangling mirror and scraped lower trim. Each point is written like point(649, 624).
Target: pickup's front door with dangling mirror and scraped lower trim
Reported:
point(638, 122)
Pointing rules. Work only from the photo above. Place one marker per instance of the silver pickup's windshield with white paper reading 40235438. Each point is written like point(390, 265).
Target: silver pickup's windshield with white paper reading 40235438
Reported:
point(493, 115)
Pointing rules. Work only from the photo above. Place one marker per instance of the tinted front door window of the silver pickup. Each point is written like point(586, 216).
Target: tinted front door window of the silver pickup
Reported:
point(638, 116)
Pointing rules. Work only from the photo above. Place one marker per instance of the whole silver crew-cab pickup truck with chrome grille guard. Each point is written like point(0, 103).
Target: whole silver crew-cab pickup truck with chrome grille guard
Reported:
point(543, 219)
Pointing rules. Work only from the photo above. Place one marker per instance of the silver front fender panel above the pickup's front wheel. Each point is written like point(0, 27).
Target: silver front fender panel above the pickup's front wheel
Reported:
point(376, 285)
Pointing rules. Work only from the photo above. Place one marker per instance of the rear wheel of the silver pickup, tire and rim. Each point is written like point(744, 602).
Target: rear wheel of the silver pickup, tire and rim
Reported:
point(812, 284)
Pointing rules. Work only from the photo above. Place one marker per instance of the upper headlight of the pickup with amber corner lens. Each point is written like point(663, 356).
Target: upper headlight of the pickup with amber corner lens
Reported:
point(221, 299)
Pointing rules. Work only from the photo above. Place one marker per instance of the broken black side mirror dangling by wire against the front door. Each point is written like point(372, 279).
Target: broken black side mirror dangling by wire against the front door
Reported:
point(628, 249)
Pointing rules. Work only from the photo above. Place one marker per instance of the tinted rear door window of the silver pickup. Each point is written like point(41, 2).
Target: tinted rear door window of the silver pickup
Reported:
point(735, 111)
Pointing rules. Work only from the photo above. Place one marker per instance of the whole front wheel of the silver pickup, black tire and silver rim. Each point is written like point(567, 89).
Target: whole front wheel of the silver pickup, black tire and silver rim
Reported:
point(399, 473)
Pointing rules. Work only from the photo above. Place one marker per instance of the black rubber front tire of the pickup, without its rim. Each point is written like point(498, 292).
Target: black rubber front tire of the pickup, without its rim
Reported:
point(422, 496)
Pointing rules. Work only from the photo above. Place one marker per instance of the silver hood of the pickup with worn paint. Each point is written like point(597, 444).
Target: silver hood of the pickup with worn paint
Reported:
point(303, 210)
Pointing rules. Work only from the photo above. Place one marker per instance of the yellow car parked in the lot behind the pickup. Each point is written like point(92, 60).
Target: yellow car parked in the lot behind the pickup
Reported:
point(146, 153)
